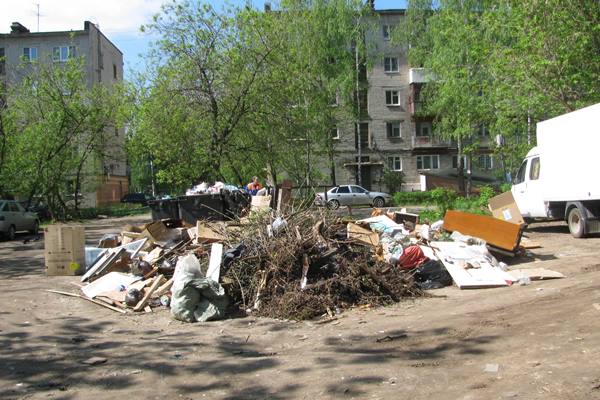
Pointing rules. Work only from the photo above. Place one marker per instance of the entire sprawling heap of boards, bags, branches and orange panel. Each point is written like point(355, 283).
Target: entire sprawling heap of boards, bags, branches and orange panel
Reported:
point(293, 263)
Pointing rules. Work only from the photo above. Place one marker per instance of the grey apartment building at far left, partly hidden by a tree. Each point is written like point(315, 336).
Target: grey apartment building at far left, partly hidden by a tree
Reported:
point(103, 64)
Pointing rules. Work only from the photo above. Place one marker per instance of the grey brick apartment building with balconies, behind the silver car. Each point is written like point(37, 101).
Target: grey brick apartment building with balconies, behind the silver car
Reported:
point(392, 134)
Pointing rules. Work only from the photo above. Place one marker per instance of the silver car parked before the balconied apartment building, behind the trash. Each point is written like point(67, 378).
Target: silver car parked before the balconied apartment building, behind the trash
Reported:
point(352, 195)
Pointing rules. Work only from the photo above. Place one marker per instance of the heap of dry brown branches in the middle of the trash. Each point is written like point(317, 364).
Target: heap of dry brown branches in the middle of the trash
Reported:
point(268, 272)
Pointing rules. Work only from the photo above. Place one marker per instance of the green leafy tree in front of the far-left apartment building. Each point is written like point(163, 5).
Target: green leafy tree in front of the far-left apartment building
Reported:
point(56, 134)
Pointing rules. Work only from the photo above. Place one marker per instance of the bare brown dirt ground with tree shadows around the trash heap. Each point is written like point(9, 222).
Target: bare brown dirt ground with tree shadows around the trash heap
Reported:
point(544, 339)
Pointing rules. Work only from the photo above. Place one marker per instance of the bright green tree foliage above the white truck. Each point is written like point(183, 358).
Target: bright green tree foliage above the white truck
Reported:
point(506, 65)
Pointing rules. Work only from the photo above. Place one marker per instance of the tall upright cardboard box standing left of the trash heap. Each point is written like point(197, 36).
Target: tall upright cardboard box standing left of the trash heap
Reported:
point(64, 249)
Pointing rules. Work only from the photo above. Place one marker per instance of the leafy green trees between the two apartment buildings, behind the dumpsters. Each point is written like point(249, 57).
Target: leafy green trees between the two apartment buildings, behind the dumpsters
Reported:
point(236, 92)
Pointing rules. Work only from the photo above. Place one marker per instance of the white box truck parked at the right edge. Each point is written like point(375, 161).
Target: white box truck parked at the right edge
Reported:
point(557, 179)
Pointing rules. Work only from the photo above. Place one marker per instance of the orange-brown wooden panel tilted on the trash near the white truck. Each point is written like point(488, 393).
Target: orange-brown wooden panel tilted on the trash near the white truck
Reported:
point(496, 232)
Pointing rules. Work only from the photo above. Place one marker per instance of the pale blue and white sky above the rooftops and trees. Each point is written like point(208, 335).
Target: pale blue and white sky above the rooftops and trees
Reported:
point(119, 20)
